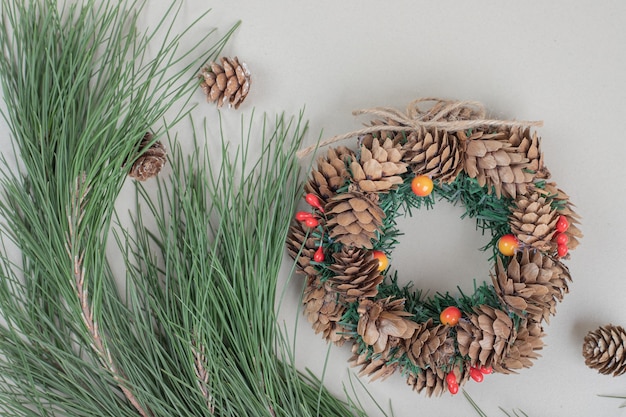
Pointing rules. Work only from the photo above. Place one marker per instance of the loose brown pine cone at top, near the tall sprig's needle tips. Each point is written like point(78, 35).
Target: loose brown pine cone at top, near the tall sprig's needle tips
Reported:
point(229, 81)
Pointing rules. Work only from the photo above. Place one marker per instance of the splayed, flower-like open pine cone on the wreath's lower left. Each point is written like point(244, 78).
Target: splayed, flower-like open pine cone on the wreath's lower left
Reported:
point(381, 319)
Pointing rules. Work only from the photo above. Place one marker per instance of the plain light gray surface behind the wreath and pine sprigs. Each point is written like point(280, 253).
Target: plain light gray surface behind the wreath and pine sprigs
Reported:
point(563, 62)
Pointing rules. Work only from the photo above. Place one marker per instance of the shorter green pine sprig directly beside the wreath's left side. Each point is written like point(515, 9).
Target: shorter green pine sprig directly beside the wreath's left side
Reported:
point(220, 235)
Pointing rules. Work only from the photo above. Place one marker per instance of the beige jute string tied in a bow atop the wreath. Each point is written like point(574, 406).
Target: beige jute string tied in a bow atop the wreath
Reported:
point(449, 115)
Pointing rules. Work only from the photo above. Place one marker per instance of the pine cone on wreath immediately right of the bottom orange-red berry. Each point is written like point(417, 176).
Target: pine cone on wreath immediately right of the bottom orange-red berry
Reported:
point(486, 336)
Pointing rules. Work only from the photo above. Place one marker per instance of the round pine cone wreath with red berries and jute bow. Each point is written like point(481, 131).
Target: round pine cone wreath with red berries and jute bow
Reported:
point(404, 161)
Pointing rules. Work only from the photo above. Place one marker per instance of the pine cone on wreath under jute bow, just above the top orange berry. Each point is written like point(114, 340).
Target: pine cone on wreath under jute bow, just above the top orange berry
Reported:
point(437, 154)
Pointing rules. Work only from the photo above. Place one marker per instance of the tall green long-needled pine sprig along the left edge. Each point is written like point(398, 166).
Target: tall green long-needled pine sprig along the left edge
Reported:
point(81, 90)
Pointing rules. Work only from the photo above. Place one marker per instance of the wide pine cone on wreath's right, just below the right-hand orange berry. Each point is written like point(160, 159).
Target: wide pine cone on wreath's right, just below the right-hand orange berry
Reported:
point(531, 284)
